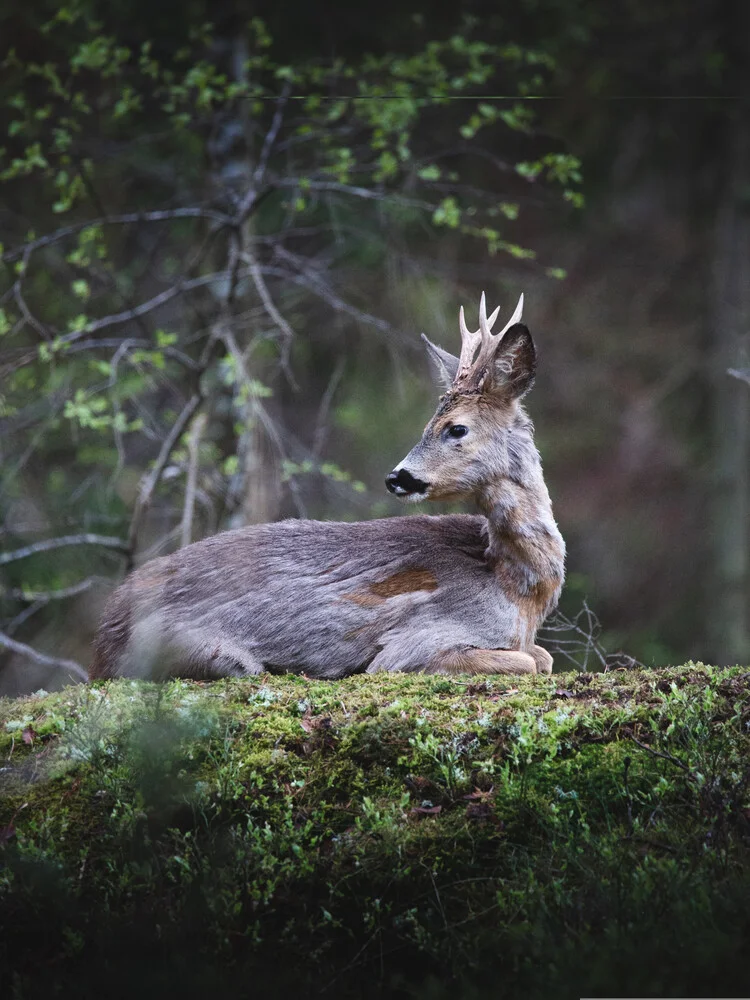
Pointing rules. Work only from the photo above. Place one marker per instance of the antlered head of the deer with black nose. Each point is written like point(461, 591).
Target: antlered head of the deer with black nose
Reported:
point(479, 433)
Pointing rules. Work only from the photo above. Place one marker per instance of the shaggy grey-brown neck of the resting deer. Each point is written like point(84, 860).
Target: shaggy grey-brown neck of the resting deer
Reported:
point(526, 550)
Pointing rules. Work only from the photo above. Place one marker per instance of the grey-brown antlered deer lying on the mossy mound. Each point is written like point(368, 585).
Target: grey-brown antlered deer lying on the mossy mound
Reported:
point(448, 594)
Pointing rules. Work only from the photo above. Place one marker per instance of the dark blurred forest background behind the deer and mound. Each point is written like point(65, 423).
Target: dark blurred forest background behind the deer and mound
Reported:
point(225, 225)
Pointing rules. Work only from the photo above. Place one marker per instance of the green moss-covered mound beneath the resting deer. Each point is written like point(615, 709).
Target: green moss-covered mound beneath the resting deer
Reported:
point(404, 836)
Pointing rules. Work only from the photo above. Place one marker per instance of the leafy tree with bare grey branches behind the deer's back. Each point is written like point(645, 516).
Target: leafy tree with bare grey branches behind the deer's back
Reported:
point(187, 219)
